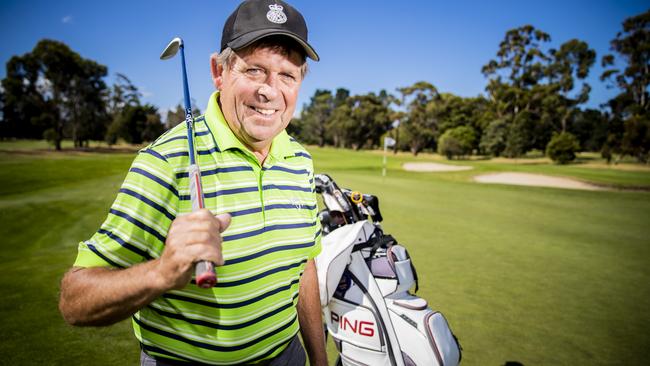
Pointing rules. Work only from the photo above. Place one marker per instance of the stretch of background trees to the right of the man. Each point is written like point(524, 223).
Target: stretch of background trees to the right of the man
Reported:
point(533, 101)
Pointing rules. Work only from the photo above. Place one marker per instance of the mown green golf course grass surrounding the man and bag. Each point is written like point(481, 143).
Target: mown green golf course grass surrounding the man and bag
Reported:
point(525, 275)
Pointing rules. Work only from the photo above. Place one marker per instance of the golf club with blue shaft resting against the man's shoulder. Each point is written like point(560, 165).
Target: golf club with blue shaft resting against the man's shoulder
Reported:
point(204, 271)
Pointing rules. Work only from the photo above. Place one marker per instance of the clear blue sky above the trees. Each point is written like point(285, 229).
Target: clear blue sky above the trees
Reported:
point(364, 45)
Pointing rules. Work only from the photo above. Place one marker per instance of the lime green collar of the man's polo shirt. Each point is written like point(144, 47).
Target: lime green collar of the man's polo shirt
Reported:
point(226, 139)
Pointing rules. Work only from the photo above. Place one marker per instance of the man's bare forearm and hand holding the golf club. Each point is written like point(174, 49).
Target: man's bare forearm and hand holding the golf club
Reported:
point(103, 296)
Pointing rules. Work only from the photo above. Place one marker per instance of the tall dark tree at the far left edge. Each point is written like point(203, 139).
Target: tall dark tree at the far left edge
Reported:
point(54, 89)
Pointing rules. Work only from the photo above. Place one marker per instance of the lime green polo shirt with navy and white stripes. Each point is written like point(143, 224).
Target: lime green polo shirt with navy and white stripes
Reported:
point(250, 315)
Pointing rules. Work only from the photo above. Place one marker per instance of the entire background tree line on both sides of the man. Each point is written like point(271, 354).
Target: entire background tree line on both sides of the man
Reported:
point(533, 101)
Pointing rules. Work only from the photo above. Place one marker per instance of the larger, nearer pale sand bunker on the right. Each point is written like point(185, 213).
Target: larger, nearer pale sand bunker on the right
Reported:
point(538, 180)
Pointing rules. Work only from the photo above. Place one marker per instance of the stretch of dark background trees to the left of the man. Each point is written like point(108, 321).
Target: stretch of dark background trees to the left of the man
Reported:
point(54, 93)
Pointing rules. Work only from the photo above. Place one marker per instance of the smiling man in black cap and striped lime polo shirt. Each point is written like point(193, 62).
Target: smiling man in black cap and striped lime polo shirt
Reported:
point(258, 182)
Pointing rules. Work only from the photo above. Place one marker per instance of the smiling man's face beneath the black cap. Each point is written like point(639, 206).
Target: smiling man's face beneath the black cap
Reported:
point(258, 94)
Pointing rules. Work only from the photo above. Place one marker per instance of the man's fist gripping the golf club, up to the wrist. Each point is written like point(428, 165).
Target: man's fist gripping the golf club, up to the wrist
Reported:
point(191, 238)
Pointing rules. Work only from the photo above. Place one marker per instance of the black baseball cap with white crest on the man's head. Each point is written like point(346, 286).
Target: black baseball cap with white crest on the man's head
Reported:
point(256, 19)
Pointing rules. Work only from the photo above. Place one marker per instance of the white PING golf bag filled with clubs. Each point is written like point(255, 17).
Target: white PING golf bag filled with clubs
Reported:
point(364, 277)
